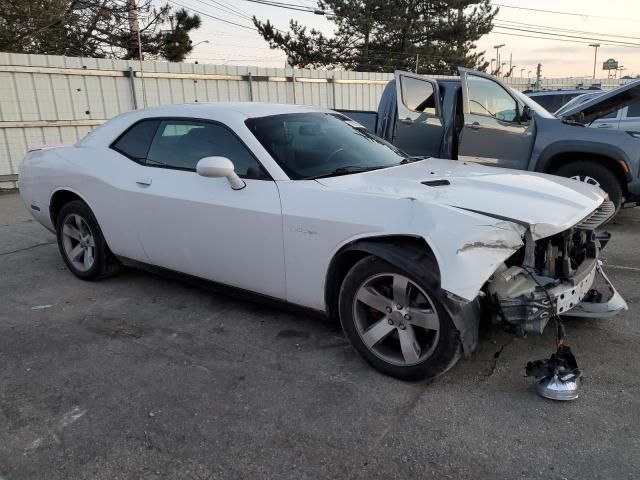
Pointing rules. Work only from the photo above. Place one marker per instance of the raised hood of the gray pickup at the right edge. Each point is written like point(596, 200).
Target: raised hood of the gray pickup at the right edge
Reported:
point(604, 104)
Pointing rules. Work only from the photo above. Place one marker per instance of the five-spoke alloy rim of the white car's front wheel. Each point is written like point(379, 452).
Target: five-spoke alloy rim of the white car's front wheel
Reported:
point(396, 319)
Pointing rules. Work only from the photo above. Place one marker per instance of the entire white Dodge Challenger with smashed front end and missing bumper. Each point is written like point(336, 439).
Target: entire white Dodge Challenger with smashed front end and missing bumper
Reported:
point(304, 206)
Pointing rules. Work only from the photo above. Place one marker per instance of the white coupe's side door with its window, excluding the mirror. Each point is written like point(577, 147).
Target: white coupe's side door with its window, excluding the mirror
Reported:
point(201, 226)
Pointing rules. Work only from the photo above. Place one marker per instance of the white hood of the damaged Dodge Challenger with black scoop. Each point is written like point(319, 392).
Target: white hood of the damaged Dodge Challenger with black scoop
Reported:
point(546, 204)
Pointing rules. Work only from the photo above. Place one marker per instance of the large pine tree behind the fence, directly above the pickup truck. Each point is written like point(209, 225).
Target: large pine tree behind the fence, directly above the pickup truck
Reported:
point(436, 36)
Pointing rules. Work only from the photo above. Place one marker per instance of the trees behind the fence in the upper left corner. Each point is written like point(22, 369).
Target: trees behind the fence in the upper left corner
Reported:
point(95, 28)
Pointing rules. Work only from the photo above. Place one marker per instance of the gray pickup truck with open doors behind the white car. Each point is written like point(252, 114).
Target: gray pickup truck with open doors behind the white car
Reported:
point(476, 118)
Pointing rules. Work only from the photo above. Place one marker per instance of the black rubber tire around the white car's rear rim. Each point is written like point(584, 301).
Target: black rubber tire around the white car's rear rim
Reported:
point(104, 263)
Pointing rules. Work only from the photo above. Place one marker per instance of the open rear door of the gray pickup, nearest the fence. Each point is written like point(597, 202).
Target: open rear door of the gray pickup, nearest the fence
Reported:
point(419, 128)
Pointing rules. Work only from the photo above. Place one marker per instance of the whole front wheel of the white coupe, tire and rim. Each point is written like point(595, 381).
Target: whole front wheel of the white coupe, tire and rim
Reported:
point(397, 322)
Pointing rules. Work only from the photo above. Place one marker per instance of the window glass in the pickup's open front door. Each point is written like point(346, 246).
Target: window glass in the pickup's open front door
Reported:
point(488, 98)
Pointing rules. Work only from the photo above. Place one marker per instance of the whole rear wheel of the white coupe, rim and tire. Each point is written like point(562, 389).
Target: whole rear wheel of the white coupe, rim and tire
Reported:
point(81, 243)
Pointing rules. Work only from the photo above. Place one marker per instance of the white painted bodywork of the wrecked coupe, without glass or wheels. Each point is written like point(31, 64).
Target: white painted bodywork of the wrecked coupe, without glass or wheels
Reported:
point(278, 237)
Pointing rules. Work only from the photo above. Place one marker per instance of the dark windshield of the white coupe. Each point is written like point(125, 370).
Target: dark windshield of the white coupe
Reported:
point(311, 145)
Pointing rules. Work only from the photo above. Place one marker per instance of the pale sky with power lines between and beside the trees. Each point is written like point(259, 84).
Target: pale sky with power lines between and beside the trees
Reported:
point(594, 20)
